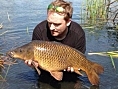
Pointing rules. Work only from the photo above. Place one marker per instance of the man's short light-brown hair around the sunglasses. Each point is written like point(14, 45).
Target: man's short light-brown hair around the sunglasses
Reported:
point(67, 6)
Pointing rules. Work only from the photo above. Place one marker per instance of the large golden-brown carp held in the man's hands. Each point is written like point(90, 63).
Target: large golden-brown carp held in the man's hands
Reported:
point(54, 57)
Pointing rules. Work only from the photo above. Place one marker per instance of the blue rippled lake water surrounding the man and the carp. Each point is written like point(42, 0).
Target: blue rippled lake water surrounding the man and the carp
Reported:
point(19, 18)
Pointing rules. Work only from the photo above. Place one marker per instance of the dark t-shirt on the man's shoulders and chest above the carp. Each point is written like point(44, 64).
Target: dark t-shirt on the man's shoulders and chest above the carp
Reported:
point(75, 36)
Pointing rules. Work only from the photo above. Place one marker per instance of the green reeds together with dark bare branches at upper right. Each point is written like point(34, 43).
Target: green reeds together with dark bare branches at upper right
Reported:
point(97, 12)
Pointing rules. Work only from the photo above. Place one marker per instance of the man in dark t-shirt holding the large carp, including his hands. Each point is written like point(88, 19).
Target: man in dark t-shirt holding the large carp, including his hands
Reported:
point(59, 27)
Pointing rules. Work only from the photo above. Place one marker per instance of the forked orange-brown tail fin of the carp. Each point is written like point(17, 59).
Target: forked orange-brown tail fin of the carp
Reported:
point(92, 74)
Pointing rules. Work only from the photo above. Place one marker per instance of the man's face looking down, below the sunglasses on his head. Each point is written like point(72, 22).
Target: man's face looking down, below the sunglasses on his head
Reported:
point(56, 23)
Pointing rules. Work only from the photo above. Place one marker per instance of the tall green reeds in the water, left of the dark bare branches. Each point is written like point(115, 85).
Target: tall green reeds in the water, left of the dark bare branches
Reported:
point(95, 12)
